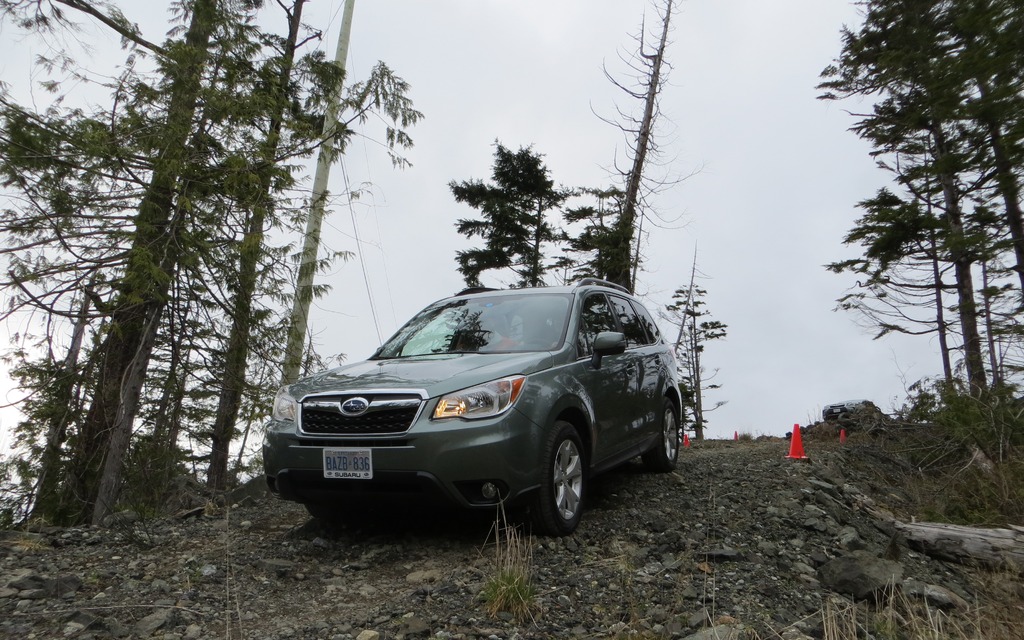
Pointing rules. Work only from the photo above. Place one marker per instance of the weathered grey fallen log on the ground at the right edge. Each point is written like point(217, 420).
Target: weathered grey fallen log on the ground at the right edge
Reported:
point(995, 548)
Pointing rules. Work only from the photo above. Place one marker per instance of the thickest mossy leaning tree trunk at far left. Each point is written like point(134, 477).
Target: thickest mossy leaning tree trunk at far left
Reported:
point(142, 294)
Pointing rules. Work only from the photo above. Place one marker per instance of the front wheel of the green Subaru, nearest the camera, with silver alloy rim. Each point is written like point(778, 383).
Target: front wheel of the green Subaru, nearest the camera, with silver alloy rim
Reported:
point(558, 506)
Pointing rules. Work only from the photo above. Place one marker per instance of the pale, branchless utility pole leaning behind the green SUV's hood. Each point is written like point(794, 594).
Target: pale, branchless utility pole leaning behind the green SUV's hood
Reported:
point(311, 247)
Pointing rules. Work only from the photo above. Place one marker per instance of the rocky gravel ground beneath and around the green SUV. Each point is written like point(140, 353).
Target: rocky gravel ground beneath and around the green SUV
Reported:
point(741, 543)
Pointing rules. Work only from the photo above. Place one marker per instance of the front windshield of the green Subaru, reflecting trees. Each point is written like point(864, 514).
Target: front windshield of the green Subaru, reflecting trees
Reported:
point(484, 325)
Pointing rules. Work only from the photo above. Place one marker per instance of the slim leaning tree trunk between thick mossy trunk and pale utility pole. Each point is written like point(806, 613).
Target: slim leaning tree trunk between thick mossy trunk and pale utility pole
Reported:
point(237, 354)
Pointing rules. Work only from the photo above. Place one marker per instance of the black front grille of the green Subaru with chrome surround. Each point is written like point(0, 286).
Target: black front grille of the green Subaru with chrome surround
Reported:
point(387, 414)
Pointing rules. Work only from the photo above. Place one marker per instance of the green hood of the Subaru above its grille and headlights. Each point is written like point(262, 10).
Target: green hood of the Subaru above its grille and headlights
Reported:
point(435, 374)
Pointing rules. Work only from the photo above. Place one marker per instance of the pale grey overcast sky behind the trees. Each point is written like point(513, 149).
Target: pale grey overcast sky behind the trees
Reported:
point(777, 177)
